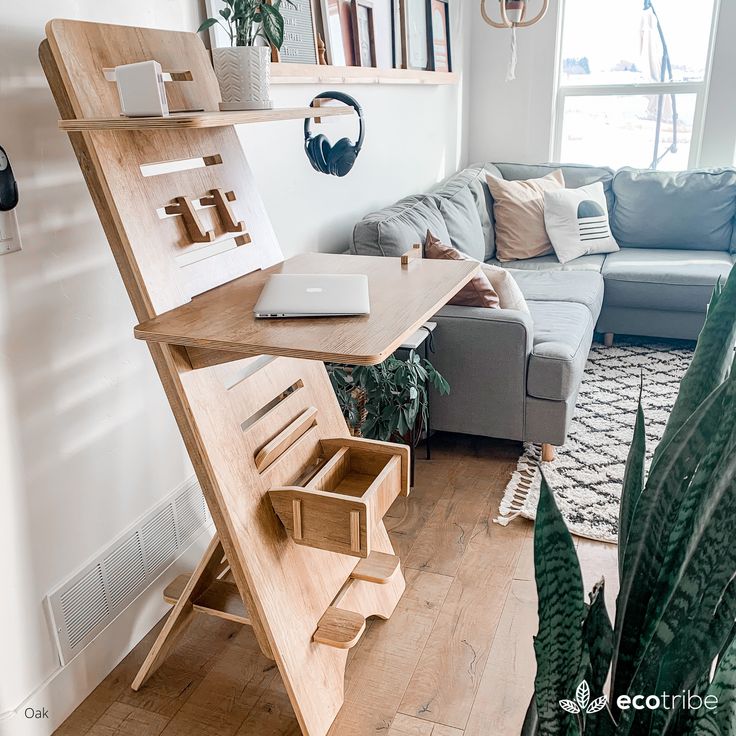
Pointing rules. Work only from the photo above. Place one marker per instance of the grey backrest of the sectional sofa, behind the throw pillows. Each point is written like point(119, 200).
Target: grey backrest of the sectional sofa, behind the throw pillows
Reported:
point(648, 209)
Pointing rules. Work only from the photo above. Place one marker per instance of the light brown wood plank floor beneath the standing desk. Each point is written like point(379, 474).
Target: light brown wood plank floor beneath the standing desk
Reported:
point(455, 658)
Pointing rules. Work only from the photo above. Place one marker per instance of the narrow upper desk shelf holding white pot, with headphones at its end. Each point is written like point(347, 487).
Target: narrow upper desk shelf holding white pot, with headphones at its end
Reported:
point(211, 119)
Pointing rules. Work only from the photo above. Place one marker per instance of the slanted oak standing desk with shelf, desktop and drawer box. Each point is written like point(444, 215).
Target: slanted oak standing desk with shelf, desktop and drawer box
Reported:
point(301, 553)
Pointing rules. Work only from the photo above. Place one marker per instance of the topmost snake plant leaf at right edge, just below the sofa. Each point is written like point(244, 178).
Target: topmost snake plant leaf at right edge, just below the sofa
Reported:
point(710, 362)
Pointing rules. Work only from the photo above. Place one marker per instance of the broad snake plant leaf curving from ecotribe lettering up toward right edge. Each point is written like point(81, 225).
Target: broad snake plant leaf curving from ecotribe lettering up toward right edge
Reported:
point(650, 526)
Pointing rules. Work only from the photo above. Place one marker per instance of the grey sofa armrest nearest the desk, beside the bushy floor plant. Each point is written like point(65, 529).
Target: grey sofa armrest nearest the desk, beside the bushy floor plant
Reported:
point(483, 354)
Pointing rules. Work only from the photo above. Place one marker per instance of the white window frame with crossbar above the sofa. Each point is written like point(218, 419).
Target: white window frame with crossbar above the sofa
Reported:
point(700, 88)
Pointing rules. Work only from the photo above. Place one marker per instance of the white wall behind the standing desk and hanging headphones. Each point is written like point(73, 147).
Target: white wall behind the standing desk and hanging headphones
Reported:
point(87, 443)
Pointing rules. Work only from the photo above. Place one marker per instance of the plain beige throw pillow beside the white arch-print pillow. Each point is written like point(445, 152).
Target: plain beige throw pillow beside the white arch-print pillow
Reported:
point(518, 208)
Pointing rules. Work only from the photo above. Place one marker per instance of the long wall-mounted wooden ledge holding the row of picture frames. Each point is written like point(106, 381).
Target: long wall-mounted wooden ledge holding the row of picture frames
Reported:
point(326, 74)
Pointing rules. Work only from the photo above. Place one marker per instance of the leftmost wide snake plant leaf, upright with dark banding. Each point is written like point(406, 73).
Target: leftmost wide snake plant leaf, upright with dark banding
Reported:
point(559, 641)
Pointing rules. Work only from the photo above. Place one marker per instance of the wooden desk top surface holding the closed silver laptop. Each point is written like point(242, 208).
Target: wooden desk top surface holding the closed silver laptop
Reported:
point(402, 299)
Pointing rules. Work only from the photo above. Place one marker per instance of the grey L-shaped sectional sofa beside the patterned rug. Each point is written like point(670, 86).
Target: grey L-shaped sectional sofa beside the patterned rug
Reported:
point(515, 375)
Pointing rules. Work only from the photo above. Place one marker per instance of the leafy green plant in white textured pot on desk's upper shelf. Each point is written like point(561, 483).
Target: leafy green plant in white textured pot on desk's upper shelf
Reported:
point(244, 69)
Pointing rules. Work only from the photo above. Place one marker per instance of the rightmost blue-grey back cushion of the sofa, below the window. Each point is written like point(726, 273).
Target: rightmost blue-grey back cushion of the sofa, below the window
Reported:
point(690, 210)
